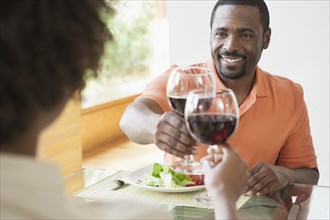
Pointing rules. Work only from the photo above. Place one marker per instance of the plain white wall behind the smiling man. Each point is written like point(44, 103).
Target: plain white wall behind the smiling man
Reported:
point(299, 50)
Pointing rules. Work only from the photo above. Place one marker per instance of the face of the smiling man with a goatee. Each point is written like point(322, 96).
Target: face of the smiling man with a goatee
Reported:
point(237, 40)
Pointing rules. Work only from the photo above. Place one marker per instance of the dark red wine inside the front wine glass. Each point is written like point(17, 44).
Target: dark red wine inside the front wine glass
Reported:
point(212, 129)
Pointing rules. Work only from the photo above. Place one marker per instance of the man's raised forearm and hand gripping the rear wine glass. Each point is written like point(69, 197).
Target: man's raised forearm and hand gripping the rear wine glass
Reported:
point(144, 123)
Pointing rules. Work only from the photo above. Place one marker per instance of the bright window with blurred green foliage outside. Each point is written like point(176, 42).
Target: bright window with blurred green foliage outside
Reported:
point(138, 52)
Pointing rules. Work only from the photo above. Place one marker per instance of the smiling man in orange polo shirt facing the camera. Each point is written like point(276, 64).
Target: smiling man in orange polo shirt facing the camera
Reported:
point(273, 135)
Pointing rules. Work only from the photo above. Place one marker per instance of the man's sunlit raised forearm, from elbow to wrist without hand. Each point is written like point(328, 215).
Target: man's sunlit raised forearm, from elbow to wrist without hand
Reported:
point(140, 119)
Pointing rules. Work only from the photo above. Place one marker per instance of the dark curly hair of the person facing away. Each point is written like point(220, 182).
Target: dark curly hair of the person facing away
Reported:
point(46, 49)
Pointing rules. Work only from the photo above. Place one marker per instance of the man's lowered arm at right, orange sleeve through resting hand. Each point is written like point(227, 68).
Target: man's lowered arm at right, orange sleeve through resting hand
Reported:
point(298, 144)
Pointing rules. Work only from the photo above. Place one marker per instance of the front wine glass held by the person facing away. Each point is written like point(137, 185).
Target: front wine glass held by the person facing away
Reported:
point(211, 118)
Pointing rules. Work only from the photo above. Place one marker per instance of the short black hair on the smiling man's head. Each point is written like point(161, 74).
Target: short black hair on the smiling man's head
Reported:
point(260, 4)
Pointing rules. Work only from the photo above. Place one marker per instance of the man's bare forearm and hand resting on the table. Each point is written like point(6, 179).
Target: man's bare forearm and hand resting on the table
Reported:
point(265, 178)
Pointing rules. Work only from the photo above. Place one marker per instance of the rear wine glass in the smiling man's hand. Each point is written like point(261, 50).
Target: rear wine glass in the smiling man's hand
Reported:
point(181, 81)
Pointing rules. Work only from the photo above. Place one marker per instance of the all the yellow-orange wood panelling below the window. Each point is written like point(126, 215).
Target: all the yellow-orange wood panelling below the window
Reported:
point(77, 131)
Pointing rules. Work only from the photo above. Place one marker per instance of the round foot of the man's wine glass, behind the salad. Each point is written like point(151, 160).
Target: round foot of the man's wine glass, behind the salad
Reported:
point(187, 167)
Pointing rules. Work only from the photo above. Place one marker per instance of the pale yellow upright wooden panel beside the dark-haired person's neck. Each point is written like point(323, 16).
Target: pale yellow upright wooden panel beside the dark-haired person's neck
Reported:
point(61, 141)
